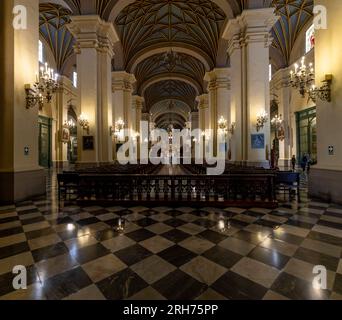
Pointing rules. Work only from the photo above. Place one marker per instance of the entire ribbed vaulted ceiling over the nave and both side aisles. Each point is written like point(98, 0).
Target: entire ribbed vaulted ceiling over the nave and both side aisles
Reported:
point(157, 25)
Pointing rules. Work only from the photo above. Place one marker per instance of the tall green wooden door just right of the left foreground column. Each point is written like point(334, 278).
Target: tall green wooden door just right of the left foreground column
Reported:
point(44, 142)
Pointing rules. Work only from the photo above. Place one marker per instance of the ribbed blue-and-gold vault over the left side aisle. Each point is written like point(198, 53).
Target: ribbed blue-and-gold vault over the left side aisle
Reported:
point(53, 19)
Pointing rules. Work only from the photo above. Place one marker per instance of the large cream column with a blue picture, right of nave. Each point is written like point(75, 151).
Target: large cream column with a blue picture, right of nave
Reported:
point(249, 40)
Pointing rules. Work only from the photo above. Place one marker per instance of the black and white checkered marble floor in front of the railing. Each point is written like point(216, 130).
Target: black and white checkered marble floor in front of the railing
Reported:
point(170, 253)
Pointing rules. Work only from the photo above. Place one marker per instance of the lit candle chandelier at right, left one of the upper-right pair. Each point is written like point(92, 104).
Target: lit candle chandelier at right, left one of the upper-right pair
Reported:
point(302, 77)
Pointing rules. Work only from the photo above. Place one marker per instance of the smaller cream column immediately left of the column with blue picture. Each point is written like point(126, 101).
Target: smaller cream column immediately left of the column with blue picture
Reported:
point(218, 99)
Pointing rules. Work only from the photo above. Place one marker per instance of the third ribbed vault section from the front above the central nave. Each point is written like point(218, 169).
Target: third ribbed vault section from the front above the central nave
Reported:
point(170, 89)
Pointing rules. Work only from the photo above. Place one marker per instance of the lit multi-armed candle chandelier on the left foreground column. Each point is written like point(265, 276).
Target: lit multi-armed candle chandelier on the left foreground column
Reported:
point(43, 89)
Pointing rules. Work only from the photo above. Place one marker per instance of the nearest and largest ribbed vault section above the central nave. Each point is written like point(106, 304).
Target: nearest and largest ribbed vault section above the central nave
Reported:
point(144, 23)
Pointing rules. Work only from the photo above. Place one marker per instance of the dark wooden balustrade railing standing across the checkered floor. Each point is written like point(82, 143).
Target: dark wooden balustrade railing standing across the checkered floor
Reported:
point(196, 190)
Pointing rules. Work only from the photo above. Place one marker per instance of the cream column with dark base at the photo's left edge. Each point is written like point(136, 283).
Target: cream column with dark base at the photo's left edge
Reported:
point(20, 174)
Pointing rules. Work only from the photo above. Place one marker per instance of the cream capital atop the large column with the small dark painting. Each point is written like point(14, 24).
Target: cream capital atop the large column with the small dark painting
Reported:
point(90, 31)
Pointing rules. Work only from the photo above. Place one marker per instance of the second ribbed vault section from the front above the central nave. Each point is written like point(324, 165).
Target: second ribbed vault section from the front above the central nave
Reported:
point(170, 64)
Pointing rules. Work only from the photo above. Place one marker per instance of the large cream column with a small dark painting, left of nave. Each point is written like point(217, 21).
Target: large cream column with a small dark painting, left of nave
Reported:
point(94, 48)
